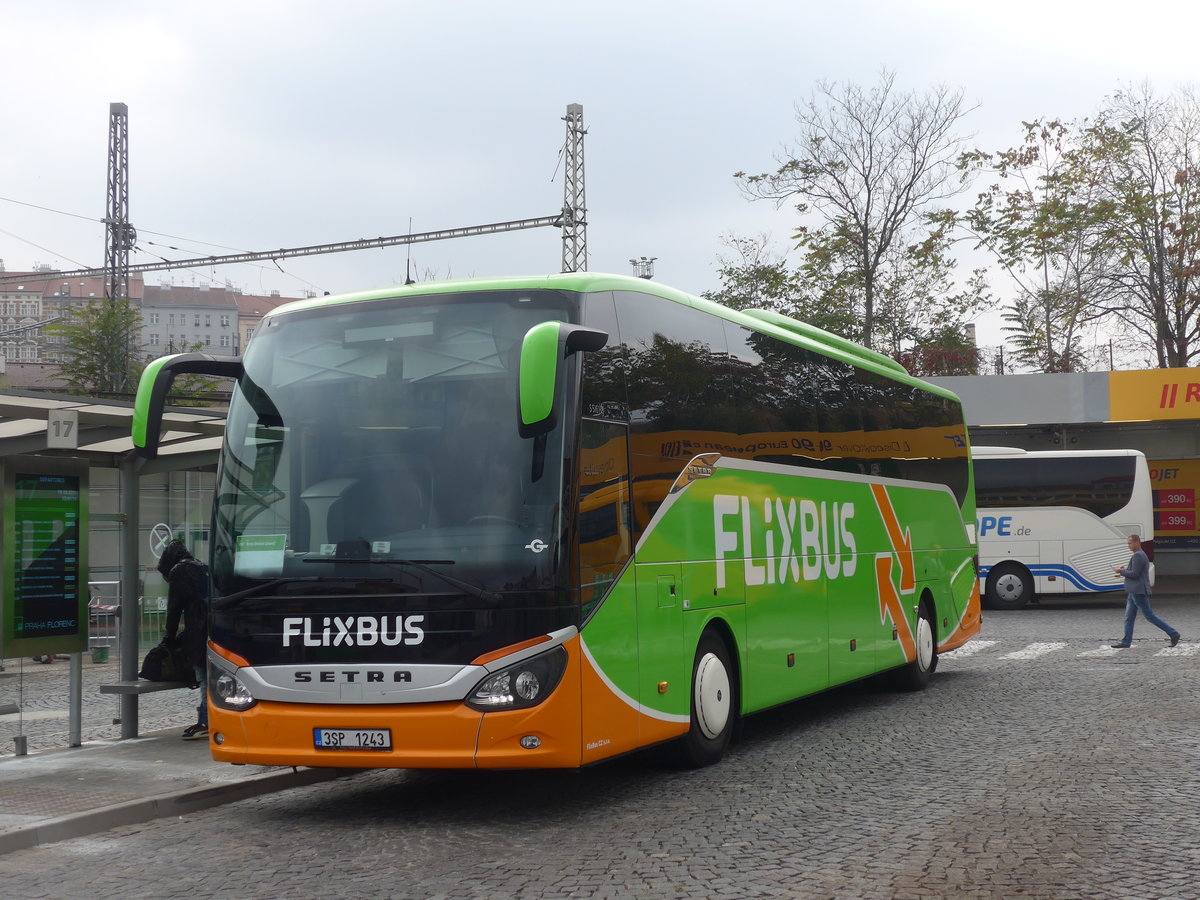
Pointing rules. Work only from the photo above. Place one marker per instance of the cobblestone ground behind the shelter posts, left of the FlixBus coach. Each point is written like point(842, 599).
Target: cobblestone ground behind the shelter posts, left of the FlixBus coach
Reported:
point(43, 692)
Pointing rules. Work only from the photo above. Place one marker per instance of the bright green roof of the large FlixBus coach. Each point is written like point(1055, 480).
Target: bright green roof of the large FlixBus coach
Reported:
point(766, 321)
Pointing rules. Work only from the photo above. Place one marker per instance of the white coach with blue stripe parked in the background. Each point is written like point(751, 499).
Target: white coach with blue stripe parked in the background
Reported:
point(1057, 521)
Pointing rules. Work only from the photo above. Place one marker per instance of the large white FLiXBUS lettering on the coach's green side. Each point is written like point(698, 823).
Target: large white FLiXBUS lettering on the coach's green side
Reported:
point(794, 539)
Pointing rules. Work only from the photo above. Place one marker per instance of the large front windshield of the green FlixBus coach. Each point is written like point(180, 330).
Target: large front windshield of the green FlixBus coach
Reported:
point(379, 441)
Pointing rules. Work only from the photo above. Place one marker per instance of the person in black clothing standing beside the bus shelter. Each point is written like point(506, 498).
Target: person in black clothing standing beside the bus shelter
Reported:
point(188, 601)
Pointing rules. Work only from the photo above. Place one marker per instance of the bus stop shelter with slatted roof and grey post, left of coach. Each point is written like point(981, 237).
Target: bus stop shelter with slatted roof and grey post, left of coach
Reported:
point(51, 427)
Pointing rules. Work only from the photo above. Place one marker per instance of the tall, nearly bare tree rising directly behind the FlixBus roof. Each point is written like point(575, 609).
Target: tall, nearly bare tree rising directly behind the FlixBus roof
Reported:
point(867, 167)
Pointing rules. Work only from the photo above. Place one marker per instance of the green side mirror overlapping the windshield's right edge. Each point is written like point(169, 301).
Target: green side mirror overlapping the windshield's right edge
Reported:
point(543, 352)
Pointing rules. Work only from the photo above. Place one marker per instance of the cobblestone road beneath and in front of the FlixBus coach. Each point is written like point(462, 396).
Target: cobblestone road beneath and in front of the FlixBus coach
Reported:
point(1039, 765)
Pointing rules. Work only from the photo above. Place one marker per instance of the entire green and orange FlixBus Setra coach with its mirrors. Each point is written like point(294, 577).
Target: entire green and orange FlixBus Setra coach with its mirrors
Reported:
point(548, 521)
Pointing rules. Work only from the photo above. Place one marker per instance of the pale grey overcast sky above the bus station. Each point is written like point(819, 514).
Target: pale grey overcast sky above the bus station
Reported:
point(259, 124)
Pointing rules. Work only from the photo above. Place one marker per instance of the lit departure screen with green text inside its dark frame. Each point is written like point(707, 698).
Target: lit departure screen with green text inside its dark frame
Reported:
point(45, 556)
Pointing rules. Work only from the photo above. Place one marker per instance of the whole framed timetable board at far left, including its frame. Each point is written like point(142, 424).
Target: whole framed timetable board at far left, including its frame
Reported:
point(45, 557)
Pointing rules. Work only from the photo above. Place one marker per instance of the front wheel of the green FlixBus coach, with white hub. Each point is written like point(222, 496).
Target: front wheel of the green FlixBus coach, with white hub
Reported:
point(715, 705)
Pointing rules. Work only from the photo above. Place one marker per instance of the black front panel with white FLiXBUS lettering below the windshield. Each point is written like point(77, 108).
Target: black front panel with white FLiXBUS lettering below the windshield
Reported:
point(401, 629)
